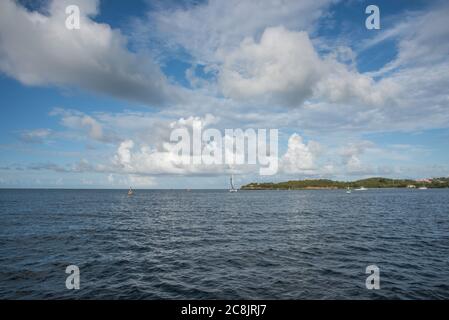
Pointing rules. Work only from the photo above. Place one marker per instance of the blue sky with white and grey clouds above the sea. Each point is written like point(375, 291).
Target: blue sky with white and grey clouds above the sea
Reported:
point(94, 107)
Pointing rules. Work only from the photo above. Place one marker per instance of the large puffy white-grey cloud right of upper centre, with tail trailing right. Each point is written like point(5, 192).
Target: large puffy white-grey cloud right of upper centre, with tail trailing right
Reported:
point(284, 68)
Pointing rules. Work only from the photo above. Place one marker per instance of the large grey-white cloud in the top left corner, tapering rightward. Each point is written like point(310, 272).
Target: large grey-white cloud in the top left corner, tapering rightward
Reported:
point(38, 49)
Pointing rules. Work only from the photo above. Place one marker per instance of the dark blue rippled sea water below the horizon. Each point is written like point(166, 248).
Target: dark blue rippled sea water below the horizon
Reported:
point(167, 244)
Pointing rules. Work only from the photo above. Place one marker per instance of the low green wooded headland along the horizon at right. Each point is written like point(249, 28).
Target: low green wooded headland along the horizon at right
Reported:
point(367, 183)
